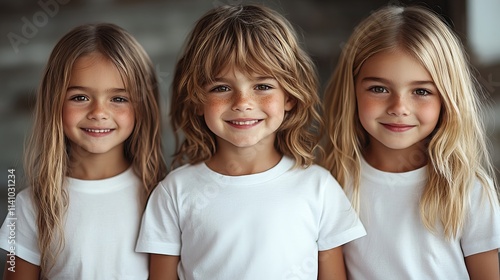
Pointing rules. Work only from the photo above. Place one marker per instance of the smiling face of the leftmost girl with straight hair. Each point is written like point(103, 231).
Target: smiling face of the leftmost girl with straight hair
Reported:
point(98, 115)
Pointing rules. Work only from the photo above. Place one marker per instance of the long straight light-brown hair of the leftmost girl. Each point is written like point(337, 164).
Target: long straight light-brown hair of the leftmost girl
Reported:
point(47, 149)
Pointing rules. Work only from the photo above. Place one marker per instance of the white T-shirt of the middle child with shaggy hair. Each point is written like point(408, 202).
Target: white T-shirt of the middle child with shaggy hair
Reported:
point(269, 225)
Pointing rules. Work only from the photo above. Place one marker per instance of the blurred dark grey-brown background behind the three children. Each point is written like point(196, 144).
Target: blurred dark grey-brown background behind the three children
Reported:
point(30, 29)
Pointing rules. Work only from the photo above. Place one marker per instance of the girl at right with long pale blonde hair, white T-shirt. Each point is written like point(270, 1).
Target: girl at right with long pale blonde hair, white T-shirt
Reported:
point(407, 142)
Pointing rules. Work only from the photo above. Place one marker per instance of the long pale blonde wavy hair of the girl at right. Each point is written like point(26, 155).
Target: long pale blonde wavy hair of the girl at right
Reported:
point(457, 151)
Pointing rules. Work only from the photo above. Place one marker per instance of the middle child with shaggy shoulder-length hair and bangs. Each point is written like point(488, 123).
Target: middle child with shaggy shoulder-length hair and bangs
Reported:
point(249, 203)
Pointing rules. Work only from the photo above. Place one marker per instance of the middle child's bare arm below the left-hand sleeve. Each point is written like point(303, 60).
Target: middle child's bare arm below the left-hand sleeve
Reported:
point(163, 267)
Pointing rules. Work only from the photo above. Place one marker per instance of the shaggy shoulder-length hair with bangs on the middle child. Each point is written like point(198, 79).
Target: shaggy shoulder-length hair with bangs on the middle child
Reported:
point(255, 39)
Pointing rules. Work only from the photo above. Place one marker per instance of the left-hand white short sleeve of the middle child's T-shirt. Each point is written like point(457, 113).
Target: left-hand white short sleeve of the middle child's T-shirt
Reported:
point(160, 229)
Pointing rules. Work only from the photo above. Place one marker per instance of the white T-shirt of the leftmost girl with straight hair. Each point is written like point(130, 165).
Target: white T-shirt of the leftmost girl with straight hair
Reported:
point(100, 231)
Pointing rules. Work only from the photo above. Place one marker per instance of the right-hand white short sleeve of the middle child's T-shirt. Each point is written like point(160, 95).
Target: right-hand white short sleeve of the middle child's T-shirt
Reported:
point(339, 223)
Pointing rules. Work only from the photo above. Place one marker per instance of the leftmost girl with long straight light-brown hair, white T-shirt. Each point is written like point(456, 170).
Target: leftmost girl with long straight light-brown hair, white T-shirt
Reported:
point(92, 159)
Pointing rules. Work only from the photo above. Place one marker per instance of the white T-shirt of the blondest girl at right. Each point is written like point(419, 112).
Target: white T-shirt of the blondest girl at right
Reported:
point(397, 244)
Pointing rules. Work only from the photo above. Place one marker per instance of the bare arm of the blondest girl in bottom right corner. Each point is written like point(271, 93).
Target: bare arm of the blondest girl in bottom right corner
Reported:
point(483, 266)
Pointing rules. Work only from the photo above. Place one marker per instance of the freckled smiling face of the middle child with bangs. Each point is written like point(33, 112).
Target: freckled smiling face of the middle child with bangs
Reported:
point(244, 111)
